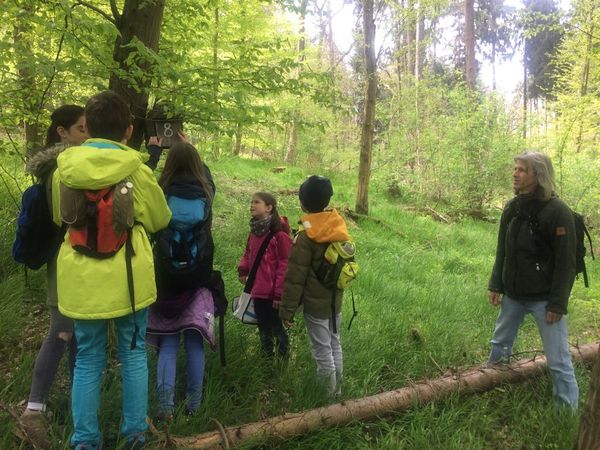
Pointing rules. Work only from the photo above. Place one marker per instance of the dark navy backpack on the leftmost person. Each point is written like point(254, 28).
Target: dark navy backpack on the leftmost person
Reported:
point(38, 238)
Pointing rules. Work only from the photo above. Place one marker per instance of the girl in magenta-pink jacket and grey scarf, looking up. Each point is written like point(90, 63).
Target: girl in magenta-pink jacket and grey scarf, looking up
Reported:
point(266, 223)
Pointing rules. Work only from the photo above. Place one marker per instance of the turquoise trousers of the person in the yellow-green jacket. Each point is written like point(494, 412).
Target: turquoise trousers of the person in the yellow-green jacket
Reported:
point(89, 365)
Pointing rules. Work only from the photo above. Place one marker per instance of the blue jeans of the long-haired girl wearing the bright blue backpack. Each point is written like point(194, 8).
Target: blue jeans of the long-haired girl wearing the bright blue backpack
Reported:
point(167, 367)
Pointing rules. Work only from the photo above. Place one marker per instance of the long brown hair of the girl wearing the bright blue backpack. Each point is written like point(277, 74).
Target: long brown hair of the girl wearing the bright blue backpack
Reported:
point(184, 159)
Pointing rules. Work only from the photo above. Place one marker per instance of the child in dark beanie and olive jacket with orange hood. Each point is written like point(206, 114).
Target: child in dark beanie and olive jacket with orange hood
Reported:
point(318, 229)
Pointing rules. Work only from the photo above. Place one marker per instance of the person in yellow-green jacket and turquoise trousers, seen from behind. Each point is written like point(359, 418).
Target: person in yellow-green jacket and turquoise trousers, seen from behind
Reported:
point(96, 287)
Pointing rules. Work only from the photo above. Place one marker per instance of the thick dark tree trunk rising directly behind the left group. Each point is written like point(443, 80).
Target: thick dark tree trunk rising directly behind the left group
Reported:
point(141, 19)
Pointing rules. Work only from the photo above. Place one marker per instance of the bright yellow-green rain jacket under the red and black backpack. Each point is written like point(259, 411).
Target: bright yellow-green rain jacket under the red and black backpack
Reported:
point(90, 288)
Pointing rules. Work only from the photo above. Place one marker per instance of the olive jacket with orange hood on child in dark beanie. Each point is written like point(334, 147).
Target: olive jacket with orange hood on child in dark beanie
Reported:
point(301, 285)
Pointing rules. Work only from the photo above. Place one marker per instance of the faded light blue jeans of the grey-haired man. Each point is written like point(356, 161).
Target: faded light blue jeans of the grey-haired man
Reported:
point(554, 339)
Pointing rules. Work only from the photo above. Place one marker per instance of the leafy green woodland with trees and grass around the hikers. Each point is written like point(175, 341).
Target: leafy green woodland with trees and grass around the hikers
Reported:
point(407, 130)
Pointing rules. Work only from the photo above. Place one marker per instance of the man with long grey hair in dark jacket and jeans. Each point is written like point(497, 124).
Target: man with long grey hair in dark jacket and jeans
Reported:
point(534, 271)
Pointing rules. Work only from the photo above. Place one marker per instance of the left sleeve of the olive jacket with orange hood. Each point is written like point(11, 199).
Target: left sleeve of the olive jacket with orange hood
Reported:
point(298, 269)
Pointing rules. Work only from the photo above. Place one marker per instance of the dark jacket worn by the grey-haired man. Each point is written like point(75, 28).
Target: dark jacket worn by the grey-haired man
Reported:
point(534, 265)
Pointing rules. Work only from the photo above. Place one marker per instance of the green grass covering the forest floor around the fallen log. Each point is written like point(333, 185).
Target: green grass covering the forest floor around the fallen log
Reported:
point(421, 295)
